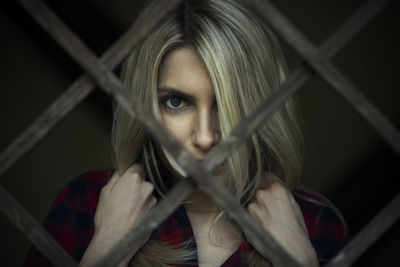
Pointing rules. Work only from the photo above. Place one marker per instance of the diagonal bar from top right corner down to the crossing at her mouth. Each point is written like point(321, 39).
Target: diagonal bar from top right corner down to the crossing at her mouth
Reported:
point(244, 129)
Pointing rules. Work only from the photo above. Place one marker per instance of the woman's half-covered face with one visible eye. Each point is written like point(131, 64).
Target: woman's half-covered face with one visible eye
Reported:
point(187, 102)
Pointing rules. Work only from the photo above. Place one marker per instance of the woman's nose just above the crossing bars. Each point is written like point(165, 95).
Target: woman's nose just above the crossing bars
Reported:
point(206, 131)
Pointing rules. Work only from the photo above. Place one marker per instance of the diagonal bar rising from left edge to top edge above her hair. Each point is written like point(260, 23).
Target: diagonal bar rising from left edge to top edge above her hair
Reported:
point(82, 87)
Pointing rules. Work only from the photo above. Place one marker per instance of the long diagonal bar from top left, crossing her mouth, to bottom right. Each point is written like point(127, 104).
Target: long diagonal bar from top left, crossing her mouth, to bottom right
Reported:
point(207, 182)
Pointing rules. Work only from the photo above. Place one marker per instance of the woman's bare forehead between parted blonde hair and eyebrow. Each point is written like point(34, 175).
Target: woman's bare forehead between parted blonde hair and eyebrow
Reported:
point(183, 69)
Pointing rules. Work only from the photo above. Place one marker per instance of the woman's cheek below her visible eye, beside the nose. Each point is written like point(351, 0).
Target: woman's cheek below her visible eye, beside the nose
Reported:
point(179, 126)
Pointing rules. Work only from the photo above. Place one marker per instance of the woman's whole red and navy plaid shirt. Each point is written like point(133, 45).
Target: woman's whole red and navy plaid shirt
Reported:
point(70, 221)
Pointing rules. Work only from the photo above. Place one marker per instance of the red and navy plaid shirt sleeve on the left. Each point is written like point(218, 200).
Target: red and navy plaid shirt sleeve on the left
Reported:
point(71, 217)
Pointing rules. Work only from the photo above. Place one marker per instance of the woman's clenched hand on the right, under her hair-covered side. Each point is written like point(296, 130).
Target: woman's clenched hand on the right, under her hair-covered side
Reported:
point(278, 212)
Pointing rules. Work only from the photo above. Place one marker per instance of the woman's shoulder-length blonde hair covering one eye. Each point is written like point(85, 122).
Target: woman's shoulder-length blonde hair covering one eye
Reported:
point(245, 65)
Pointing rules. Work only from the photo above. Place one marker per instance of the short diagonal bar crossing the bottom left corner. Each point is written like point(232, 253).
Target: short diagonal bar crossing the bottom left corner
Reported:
point(33, 230)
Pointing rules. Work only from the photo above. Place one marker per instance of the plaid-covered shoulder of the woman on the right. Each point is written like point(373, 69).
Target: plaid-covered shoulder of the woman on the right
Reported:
point(326, 226)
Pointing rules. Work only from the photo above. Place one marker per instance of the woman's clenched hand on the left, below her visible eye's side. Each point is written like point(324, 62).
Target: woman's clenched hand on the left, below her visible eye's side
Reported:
point(122, 203)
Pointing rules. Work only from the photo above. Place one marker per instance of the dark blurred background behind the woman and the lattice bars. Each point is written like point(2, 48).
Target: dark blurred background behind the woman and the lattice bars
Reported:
point(345, 158)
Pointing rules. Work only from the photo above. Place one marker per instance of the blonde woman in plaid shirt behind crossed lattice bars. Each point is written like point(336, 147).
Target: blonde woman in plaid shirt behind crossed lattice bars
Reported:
point(201, 72)
